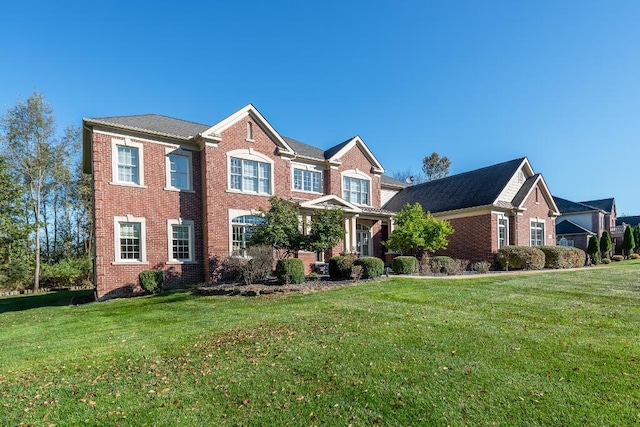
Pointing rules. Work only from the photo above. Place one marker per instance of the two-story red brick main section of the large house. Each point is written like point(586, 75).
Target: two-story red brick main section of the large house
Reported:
point(182, 196)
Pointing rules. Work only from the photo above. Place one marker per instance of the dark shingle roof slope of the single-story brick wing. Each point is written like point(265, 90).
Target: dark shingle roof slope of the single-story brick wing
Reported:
point(480, 187)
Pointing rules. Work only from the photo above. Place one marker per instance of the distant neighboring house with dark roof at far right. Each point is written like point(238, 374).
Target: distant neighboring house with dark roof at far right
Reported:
point(578, 221)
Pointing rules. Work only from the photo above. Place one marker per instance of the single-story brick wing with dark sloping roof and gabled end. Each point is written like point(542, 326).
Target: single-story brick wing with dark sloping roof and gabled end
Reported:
point(491, 207)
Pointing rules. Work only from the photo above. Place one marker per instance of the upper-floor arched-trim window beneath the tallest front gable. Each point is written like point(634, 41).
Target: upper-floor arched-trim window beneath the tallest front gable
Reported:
point(250, 172)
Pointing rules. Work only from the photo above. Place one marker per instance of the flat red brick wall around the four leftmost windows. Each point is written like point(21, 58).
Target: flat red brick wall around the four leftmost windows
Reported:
point(153, 203)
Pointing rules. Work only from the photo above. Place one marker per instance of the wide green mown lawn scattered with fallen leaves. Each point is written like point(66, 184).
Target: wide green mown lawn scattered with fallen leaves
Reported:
point(555, 348)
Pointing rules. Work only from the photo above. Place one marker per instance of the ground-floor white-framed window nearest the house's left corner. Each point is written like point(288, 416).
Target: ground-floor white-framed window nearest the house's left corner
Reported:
point(129, 239)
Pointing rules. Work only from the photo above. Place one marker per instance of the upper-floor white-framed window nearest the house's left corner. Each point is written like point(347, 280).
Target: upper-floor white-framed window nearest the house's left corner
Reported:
point(127, 162)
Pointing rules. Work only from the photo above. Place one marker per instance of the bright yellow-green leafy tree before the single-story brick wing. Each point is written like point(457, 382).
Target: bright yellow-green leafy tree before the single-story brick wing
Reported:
point(418, 231)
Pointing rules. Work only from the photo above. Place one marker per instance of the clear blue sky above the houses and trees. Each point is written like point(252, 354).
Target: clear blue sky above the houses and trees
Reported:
point(480, 82)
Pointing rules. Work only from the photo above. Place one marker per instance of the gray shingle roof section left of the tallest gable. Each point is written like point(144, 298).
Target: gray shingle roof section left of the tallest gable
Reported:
point(154, 123)
